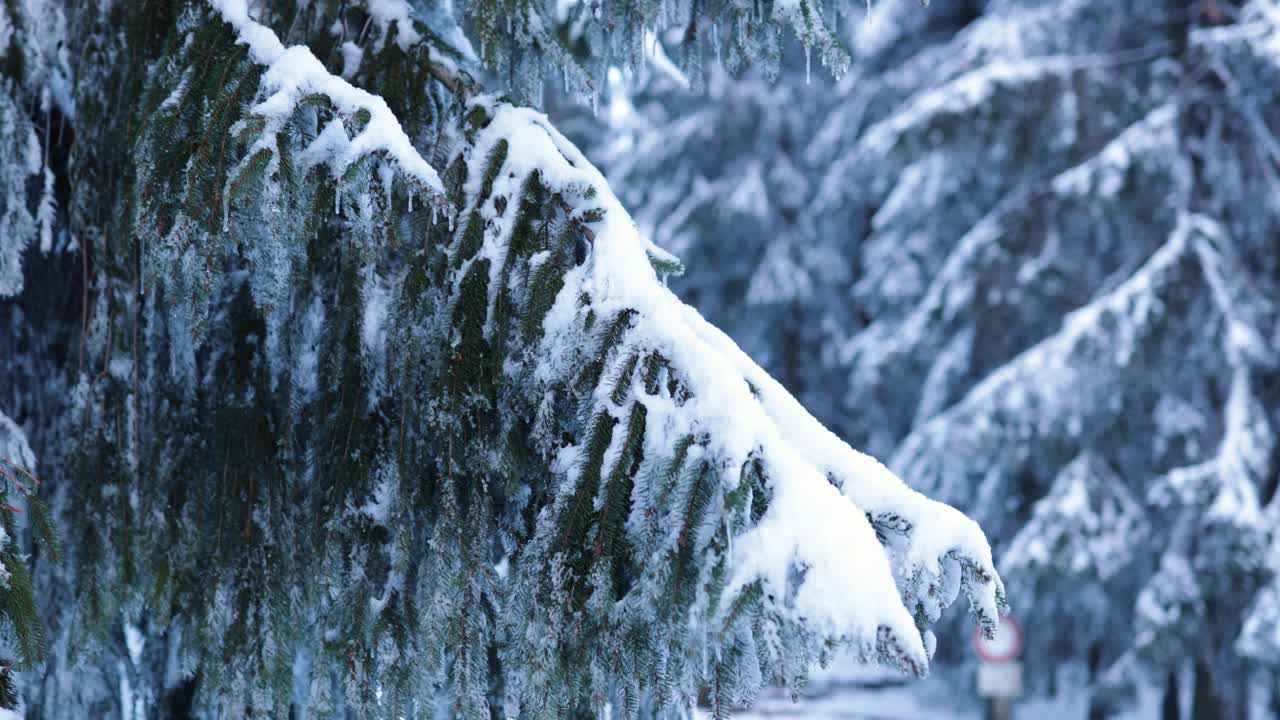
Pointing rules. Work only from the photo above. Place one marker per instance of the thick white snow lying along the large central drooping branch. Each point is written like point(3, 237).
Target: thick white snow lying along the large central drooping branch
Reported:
point(829, 503)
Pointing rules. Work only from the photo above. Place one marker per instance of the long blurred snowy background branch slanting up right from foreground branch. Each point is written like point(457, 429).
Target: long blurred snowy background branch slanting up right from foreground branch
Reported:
point(1075, 385)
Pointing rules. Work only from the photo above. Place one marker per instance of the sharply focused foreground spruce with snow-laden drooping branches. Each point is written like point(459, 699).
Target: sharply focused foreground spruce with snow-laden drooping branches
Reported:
point(371, 399)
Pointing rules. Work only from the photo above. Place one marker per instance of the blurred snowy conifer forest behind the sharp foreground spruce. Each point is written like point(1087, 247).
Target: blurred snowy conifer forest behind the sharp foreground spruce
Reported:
point(1030, 254)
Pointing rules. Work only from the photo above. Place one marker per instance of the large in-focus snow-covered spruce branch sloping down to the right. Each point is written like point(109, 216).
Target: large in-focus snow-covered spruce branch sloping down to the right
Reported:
point(813, 555)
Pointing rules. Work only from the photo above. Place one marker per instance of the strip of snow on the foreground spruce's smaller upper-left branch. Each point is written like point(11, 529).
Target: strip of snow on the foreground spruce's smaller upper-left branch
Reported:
point(294, 74)
